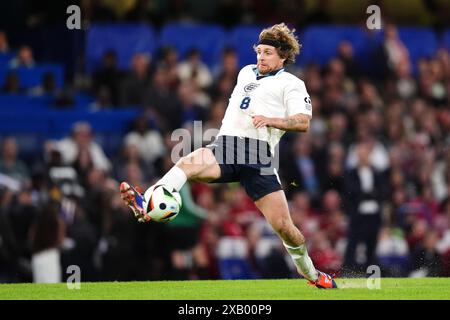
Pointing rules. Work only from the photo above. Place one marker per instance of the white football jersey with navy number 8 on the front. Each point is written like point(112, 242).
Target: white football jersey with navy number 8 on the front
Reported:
point(277, 95)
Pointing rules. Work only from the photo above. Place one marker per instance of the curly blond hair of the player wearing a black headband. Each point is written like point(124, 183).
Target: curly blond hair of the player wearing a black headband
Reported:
point(289, 43)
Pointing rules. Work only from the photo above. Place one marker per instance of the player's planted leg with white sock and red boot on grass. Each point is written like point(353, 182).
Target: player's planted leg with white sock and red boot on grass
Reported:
point(276, 211)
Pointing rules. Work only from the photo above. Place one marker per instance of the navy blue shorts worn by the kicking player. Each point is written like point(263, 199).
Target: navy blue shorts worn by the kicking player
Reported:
point(248, 161)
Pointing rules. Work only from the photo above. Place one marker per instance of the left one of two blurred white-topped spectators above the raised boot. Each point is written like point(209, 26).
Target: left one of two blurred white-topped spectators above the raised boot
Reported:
point(82, 138)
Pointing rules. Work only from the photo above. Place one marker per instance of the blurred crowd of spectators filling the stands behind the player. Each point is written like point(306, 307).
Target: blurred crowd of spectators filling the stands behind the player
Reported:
point(368, 185)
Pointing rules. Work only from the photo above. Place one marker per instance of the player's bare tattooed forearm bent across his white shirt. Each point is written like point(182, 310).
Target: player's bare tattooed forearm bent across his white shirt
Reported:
point(297, 122)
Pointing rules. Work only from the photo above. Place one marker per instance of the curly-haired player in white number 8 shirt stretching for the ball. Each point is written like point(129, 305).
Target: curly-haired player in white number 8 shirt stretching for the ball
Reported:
point(266, 102)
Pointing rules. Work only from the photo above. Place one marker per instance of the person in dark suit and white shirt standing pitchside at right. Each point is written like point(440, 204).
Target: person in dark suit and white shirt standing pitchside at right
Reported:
point(363, 202)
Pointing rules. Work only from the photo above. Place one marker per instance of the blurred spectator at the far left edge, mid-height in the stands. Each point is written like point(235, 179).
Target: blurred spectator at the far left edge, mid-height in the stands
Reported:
point(11, 165)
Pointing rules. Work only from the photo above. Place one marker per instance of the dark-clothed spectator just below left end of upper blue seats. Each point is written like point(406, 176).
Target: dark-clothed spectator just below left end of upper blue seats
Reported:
point(107, 77)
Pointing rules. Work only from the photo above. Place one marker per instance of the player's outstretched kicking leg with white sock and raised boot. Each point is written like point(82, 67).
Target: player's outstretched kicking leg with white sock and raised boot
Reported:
point(199, 165)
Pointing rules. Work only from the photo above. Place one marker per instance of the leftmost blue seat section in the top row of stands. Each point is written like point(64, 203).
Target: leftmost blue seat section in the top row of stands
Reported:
point(125, 39)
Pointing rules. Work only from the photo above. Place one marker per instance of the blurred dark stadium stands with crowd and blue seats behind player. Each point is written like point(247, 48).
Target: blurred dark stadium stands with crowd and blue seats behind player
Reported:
point(137, 70)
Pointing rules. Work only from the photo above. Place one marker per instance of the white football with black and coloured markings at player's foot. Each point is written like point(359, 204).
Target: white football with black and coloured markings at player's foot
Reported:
point(162, 203)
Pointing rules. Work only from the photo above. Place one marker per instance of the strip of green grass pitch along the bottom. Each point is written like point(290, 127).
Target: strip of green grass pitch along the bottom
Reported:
point(290, 289)
